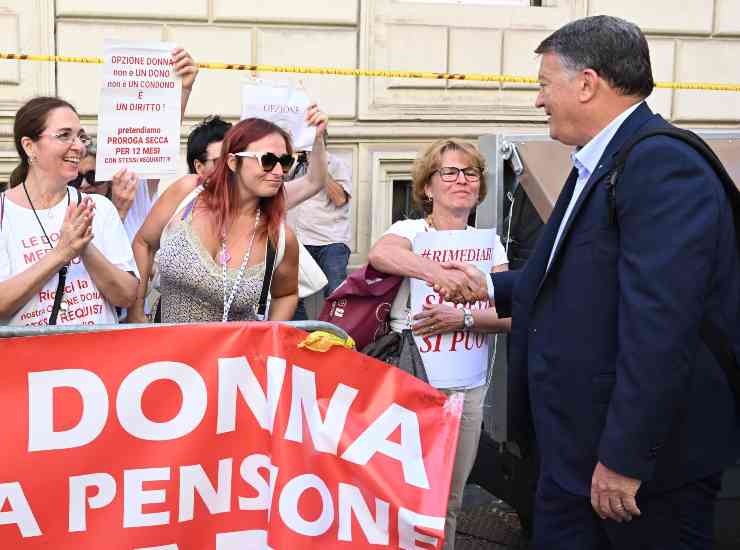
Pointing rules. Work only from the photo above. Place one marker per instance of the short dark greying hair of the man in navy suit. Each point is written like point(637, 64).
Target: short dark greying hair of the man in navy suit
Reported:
point(616, 49)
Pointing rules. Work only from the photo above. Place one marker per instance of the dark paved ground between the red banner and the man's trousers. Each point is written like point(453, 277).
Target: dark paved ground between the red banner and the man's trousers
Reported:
point(487, 523)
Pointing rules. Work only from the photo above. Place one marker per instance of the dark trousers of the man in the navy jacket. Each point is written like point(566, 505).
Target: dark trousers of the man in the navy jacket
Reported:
point(678, 519)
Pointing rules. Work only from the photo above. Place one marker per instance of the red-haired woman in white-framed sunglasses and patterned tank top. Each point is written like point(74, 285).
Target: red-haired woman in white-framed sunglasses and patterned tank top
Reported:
point(212, 257)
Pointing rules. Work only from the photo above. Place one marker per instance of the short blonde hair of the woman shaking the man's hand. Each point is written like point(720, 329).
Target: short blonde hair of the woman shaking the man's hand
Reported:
point(431, 160)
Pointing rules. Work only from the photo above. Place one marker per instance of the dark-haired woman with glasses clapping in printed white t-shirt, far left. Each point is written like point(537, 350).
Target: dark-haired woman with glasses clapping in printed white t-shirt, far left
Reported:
point(48, 231)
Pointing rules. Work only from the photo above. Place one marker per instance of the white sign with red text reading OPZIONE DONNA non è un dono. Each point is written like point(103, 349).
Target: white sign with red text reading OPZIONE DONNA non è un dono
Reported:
point(139, 114)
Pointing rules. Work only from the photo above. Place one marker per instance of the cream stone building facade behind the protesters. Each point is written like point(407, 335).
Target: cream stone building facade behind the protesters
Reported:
point(377, 124)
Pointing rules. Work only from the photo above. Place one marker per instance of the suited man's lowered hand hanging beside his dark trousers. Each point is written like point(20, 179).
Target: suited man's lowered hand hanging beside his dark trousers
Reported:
point(613, 495)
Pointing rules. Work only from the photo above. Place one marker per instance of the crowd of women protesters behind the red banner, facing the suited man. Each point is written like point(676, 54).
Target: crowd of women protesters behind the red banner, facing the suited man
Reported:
point(205, 248)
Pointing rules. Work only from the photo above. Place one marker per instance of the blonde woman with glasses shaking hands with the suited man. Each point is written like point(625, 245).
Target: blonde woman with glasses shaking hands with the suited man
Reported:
point(448, 183)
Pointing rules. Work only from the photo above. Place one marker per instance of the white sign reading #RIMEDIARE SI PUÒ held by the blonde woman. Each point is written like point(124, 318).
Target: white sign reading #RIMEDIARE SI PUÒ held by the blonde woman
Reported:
point(458, 359)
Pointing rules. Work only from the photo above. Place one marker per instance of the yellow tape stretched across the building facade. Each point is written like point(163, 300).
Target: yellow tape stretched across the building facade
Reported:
point(474, 77)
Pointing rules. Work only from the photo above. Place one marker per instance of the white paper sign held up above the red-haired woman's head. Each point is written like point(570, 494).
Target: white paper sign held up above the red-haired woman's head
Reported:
point(280, 103)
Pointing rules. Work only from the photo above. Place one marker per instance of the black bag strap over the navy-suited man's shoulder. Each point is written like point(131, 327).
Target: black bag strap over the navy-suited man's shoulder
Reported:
point(715, 338)
